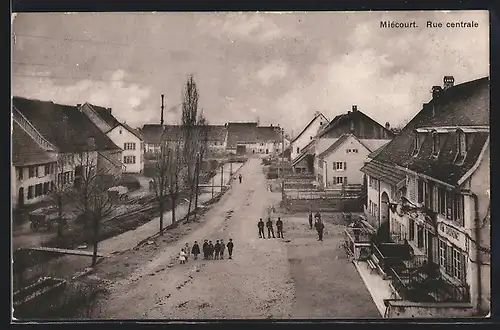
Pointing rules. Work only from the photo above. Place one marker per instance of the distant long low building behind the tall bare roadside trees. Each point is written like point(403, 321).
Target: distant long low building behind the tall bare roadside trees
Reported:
point(216, 136)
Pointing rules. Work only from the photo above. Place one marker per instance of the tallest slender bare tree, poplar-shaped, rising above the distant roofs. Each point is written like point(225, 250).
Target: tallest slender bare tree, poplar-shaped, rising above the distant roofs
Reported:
point(189, 123)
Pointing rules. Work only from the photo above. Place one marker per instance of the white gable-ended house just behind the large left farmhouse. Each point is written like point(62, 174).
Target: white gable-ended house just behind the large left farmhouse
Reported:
point(121, 134)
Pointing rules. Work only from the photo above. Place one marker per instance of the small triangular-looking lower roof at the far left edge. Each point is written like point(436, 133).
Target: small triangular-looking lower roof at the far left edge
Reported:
point(26, 151)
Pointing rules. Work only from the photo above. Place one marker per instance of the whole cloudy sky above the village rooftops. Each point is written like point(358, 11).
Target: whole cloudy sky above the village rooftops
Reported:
point(277, 67)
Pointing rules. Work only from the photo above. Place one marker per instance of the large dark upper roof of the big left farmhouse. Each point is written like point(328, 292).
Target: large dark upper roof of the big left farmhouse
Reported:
point(63, 125)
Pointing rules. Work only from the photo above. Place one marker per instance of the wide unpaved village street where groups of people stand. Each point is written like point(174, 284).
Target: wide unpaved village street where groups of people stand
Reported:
point(295, 277)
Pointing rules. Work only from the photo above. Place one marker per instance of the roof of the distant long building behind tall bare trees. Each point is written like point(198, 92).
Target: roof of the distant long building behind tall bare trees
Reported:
point(151, 133)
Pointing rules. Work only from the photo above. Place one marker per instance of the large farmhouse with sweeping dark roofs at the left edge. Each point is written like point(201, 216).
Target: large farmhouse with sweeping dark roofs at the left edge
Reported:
point(64, 140)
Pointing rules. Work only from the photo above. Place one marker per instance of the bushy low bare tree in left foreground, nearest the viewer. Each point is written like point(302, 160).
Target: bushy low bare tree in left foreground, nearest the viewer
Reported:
point(91, 194)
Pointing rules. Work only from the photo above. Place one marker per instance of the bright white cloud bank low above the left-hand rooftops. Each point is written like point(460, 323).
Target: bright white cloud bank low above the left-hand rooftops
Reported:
point(125, 99)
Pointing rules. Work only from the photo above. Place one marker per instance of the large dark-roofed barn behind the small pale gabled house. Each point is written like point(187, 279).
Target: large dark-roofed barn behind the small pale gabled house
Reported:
point(355, 122)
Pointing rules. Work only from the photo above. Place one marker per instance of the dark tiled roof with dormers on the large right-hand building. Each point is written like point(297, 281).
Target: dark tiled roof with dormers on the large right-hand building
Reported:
point(463, 105)
